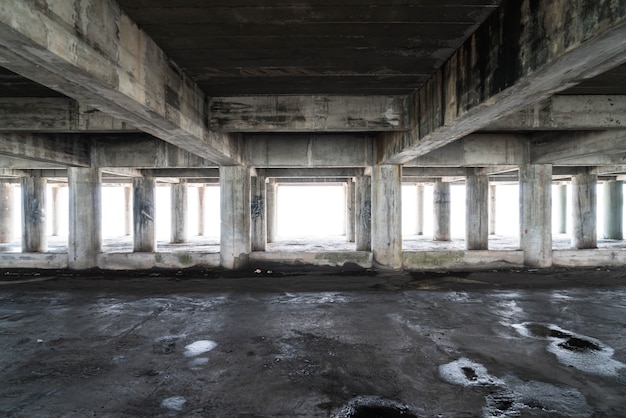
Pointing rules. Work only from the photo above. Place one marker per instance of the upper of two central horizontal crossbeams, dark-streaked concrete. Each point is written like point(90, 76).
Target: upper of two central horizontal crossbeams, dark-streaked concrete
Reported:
point(310, 113)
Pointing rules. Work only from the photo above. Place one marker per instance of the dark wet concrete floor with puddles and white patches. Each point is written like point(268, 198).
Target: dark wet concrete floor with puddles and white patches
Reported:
point(313, 344)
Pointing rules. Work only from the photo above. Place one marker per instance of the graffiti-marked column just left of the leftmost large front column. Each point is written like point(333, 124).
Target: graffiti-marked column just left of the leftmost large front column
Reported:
point(34, 239)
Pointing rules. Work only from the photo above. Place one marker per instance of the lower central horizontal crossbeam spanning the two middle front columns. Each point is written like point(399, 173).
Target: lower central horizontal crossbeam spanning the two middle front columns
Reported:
point(296, 151)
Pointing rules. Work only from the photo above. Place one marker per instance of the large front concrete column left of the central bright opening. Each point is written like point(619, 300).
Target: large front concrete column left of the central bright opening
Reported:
point(235, 213)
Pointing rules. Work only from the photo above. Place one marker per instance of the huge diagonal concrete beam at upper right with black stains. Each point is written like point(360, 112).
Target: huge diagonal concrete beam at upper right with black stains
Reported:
point(511, 62)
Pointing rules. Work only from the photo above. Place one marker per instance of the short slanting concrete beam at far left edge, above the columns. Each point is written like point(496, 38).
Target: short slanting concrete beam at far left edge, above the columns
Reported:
point(60, 149)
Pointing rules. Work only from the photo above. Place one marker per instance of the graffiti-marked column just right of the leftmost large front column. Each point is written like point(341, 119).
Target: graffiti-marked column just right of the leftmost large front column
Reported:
point(144, 235)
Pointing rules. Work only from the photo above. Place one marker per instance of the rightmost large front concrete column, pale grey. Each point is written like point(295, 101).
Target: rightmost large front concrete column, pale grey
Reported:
point(535, 214)
